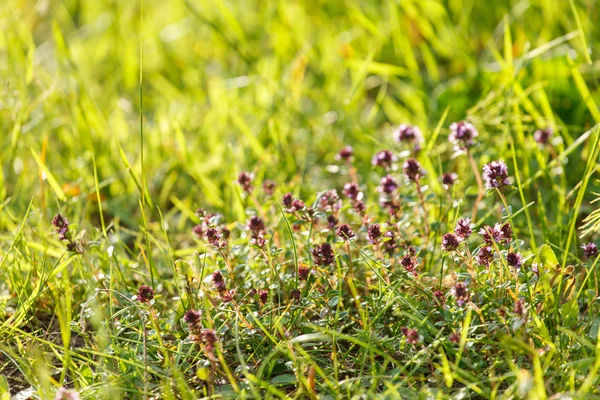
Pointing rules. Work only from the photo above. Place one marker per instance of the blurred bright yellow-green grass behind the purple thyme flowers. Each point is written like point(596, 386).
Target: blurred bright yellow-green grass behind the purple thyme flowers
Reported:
point(275, 87)
